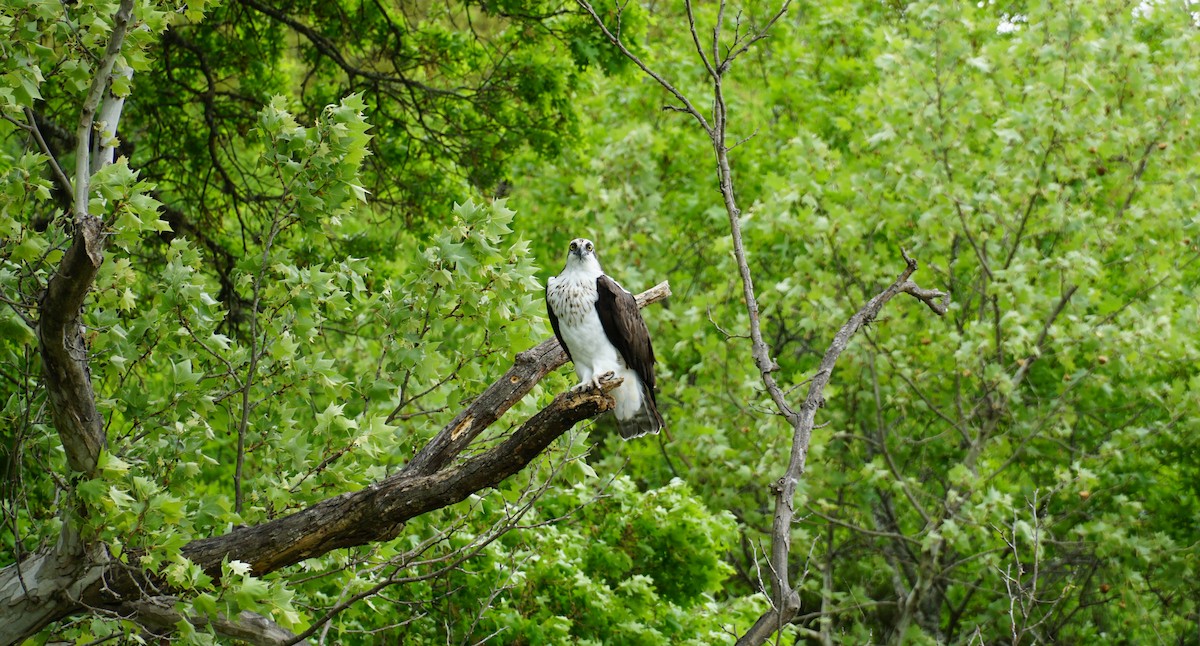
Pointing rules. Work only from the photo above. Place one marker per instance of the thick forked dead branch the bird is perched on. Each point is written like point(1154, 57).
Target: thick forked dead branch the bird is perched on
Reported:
point(369, 516)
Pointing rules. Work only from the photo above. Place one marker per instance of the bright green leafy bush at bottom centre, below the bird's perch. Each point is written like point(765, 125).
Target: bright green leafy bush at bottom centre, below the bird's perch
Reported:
point(598, 563)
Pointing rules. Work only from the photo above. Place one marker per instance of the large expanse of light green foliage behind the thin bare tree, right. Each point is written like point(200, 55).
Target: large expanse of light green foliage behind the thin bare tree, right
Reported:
point(1025, 166)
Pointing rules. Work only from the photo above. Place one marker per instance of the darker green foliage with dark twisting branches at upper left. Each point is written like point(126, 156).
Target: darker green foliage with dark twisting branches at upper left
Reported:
point(453, 91)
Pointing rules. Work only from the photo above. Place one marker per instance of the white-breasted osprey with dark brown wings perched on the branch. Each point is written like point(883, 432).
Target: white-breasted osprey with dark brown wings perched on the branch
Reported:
point(602, 330)
